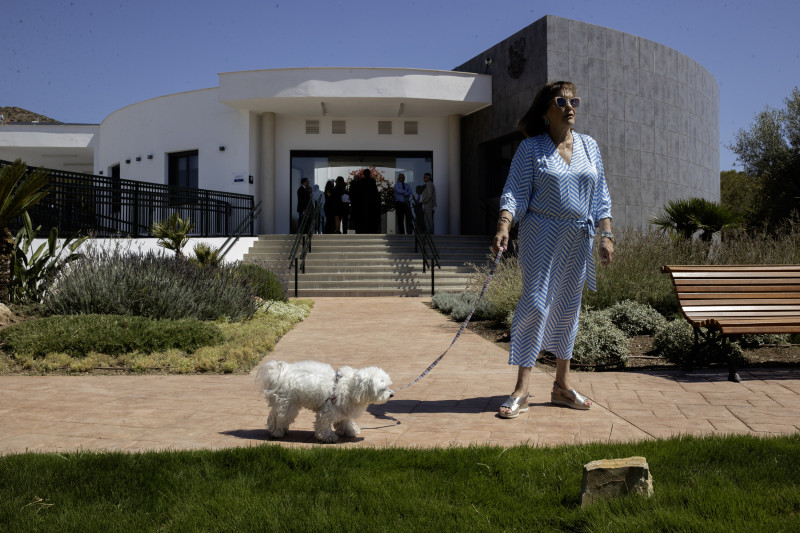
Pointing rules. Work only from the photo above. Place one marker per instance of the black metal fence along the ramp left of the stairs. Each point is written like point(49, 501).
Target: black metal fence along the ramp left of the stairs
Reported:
point(110, 206)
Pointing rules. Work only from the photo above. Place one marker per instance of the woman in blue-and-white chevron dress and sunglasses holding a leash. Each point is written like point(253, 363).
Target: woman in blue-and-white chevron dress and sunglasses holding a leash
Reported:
point(557, 191)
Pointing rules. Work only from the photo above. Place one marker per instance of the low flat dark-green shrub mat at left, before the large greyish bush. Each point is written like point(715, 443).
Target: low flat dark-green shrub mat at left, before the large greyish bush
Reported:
point(78, 335)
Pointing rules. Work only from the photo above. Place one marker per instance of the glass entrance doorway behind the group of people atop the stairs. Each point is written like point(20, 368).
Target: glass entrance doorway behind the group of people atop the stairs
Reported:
point(322, 167)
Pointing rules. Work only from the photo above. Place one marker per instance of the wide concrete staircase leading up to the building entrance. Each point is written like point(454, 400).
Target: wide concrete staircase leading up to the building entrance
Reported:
point(371, 265)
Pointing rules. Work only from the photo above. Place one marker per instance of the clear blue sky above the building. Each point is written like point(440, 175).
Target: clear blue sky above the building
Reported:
point(80, 60)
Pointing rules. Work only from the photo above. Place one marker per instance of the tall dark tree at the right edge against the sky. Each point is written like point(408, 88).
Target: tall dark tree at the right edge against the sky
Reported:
point(770, 153)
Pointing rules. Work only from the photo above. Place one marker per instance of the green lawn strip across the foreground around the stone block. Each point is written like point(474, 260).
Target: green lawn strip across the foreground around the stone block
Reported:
point(701, 484)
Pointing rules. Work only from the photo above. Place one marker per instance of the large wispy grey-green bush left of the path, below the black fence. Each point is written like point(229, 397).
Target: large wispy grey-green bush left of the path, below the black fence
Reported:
point(122, 282)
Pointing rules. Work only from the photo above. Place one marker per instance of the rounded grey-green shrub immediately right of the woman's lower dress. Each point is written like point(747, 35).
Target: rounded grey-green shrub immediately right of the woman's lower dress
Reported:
point(599, 342)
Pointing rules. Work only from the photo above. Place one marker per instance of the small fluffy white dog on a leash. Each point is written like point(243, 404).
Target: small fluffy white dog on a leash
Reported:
point(338, 398)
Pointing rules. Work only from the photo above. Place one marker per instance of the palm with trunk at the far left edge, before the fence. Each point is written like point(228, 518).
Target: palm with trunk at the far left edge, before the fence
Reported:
point(20, 190)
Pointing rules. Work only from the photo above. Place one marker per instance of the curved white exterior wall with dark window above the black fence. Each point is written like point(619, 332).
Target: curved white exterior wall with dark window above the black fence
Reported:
point(180, 122)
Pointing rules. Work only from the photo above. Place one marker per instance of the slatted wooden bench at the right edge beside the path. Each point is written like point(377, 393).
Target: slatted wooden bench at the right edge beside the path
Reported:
point(737, 299)
